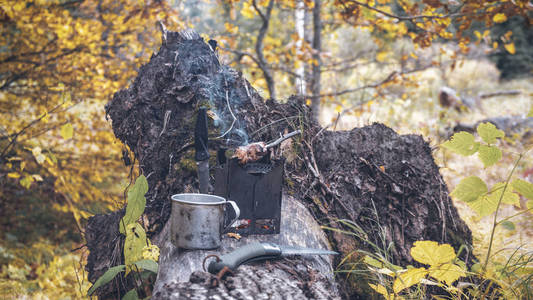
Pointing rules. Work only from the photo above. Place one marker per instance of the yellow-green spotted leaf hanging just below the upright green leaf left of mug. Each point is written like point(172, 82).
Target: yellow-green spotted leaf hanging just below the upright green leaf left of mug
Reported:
point(133, 245)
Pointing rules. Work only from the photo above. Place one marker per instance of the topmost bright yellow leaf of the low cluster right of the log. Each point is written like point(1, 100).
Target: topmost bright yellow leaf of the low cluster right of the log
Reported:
point(431, 253)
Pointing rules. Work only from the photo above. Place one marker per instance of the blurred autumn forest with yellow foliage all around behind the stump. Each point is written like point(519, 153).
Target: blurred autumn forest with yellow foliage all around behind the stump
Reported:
point(355, 62)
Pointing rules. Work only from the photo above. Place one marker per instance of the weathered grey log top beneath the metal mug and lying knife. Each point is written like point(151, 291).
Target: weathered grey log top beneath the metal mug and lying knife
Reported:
point(309, 277)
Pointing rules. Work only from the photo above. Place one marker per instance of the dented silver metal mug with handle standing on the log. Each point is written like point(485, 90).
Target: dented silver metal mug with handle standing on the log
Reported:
point(197, 220)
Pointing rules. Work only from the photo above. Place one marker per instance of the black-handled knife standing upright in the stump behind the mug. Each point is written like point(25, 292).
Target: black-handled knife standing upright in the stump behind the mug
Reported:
point(201, 151)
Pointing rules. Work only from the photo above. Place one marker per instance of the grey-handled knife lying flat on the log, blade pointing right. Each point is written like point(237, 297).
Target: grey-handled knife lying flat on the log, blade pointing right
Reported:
point(260, 251)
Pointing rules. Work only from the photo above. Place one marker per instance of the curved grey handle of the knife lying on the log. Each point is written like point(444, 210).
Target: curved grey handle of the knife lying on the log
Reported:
point(244, 254)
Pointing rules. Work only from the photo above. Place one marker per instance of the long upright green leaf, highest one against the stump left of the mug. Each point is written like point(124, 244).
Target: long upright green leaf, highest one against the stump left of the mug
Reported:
point(136, 203)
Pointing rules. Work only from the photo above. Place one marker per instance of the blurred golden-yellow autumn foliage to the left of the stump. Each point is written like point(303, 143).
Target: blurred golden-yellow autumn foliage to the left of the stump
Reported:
point(60, 62)
